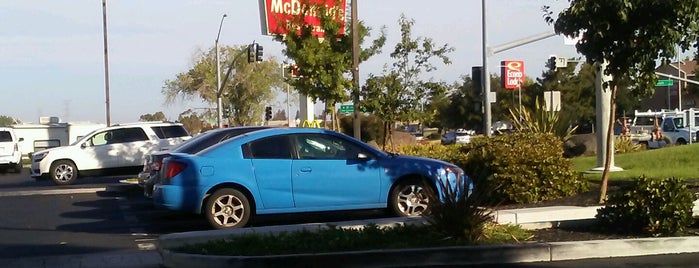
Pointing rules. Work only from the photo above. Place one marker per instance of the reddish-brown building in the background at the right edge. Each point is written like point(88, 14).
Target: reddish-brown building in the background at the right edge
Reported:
point(668, 97)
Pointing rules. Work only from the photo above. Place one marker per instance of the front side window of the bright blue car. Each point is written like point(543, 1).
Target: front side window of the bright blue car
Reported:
point(314, 146)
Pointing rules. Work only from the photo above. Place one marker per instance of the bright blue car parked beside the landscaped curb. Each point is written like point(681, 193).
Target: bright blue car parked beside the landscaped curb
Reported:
point(289, 170)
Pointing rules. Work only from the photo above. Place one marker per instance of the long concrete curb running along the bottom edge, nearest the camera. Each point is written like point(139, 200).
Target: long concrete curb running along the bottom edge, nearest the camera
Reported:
point(467, 255)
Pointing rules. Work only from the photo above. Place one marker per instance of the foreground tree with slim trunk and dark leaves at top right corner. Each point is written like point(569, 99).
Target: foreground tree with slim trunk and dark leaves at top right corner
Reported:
point(630, 35)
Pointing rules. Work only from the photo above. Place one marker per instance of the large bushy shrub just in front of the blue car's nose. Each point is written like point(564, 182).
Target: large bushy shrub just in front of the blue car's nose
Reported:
point(522, 168)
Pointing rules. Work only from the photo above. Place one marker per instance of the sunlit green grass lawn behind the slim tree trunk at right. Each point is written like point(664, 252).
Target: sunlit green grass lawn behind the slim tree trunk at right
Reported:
point(675, 161)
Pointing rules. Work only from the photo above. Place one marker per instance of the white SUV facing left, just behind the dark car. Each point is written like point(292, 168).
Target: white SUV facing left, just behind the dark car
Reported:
point(114, 150)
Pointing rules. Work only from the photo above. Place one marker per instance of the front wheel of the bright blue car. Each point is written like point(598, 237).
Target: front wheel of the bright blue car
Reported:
point(409, 198)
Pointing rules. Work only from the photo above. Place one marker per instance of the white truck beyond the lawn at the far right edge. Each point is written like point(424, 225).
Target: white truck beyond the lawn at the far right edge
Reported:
point(656, 129)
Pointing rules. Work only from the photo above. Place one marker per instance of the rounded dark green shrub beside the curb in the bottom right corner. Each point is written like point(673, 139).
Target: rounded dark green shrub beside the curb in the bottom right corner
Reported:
point(649, 206)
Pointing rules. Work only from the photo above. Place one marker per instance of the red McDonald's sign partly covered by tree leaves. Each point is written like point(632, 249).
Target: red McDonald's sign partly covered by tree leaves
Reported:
point(275, 14)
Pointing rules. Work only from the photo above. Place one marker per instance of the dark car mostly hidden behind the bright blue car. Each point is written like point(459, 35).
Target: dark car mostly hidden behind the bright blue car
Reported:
point(150, 174)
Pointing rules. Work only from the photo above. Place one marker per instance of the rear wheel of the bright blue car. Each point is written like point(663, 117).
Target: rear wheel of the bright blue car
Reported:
point(227, 208)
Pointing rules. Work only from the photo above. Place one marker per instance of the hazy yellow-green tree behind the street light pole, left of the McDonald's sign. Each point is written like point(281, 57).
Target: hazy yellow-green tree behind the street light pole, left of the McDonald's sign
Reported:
point(246, 87)
